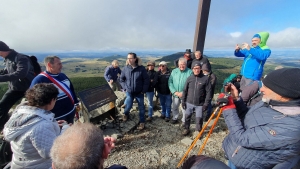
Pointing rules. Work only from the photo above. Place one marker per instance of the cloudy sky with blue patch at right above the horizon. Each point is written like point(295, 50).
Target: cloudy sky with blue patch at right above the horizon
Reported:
point(56, 25)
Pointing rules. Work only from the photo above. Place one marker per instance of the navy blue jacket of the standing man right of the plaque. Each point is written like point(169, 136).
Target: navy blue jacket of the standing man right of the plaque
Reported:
point(135, 80)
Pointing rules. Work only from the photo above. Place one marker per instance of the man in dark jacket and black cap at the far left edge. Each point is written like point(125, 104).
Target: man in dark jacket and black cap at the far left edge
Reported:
point(18, 72)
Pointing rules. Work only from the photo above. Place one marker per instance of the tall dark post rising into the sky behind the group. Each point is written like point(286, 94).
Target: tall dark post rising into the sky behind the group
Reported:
point(201, 25)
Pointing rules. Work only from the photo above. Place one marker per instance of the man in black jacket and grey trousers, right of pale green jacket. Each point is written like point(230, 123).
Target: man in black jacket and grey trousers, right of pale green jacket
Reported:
point(196, 97)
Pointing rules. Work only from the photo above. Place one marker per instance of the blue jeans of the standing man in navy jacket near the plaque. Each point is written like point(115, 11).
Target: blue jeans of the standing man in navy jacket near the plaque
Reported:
point(129, 101)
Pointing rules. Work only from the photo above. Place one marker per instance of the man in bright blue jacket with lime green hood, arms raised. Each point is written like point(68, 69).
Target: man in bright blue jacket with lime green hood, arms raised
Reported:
point(254, 58)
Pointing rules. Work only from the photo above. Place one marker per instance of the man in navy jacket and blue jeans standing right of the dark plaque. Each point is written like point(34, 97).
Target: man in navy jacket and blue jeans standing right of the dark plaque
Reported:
point(135, 80)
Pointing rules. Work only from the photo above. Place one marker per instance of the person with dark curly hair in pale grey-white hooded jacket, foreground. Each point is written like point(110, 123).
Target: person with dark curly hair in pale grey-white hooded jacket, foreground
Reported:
point(32, 129)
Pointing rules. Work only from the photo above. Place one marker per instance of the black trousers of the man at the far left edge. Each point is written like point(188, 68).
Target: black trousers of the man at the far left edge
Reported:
point(7, 101)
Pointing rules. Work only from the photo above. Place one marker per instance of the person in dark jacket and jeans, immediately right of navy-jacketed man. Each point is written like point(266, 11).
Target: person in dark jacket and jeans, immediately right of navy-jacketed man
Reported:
point(150, 92)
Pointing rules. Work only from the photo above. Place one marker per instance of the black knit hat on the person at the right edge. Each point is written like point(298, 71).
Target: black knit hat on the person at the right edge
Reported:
point(285, 82)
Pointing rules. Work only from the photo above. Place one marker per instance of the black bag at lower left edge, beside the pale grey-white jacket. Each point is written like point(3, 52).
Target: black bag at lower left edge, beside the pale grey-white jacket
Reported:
point(5, 152)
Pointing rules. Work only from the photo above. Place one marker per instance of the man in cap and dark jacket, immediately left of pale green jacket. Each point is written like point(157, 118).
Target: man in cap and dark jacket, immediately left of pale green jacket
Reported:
point(164, 93)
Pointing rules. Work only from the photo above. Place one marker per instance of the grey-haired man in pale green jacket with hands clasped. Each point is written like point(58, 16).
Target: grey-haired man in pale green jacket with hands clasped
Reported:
point(176, 83)
